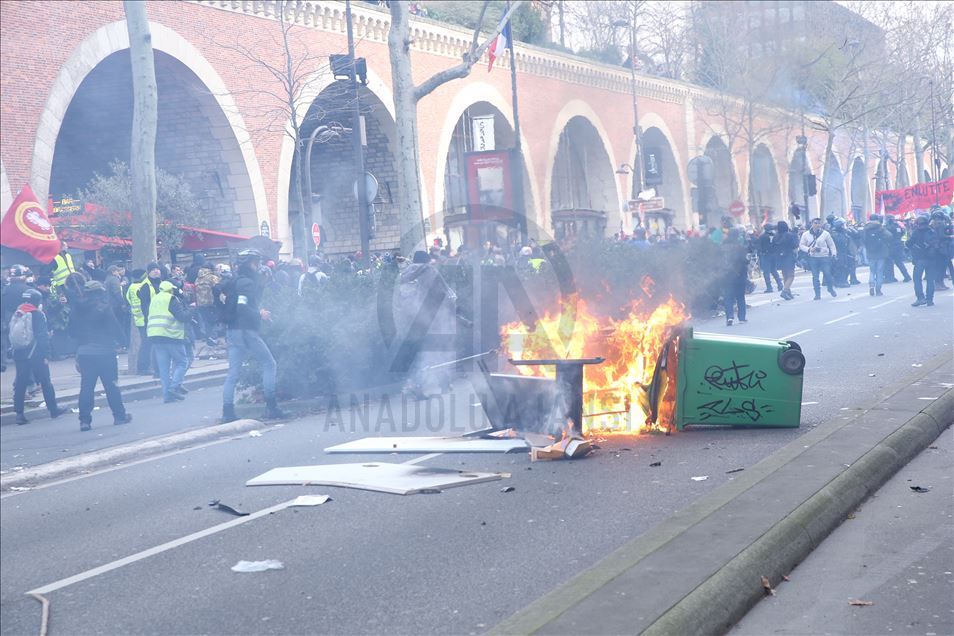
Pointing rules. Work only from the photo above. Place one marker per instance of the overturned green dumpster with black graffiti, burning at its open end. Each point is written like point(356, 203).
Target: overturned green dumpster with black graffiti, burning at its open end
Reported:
point(716, 379)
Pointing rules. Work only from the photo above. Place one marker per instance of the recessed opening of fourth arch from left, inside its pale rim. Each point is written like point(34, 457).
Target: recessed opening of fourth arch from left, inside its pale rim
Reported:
point(583, 189)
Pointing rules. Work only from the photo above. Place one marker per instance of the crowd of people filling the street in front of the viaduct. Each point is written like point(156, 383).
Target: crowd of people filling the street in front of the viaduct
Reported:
point(88, 311)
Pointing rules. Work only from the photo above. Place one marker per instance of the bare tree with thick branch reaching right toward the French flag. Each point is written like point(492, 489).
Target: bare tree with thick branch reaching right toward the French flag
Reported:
point(406, 97)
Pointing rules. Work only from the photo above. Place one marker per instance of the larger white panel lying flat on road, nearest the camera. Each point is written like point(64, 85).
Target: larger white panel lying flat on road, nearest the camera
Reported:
point(398, 479)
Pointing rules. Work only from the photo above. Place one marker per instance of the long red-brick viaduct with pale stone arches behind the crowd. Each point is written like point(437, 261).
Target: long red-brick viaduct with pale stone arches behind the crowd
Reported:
point(64, 69)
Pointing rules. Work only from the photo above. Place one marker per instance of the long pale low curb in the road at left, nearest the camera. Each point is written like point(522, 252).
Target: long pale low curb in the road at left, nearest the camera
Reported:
point(69, 466)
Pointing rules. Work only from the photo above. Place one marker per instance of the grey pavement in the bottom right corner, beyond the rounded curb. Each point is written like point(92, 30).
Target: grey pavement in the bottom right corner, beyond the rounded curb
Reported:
point(895, 552)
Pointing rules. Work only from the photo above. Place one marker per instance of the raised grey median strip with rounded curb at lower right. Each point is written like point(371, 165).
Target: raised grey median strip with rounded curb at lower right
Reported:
point(700, 571)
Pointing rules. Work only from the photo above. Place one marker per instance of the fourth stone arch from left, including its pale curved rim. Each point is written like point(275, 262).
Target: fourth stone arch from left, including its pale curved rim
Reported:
point(578, 119)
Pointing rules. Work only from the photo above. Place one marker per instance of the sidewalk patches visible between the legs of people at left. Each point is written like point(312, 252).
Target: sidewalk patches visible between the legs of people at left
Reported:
point(66, 381)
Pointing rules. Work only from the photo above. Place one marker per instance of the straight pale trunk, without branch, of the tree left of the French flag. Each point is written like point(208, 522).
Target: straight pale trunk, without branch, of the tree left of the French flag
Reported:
point(410, 216)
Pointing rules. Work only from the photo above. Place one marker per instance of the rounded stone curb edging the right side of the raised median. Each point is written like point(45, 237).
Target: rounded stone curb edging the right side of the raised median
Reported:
point(716, 605)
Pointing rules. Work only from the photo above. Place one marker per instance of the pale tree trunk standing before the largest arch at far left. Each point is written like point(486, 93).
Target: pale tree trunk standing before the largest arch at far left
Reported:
point(142, 156)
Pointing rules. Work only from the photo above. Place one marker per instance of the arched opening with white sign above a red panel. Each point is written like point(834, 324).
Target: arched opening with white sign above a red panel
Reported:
point(482, 128)
